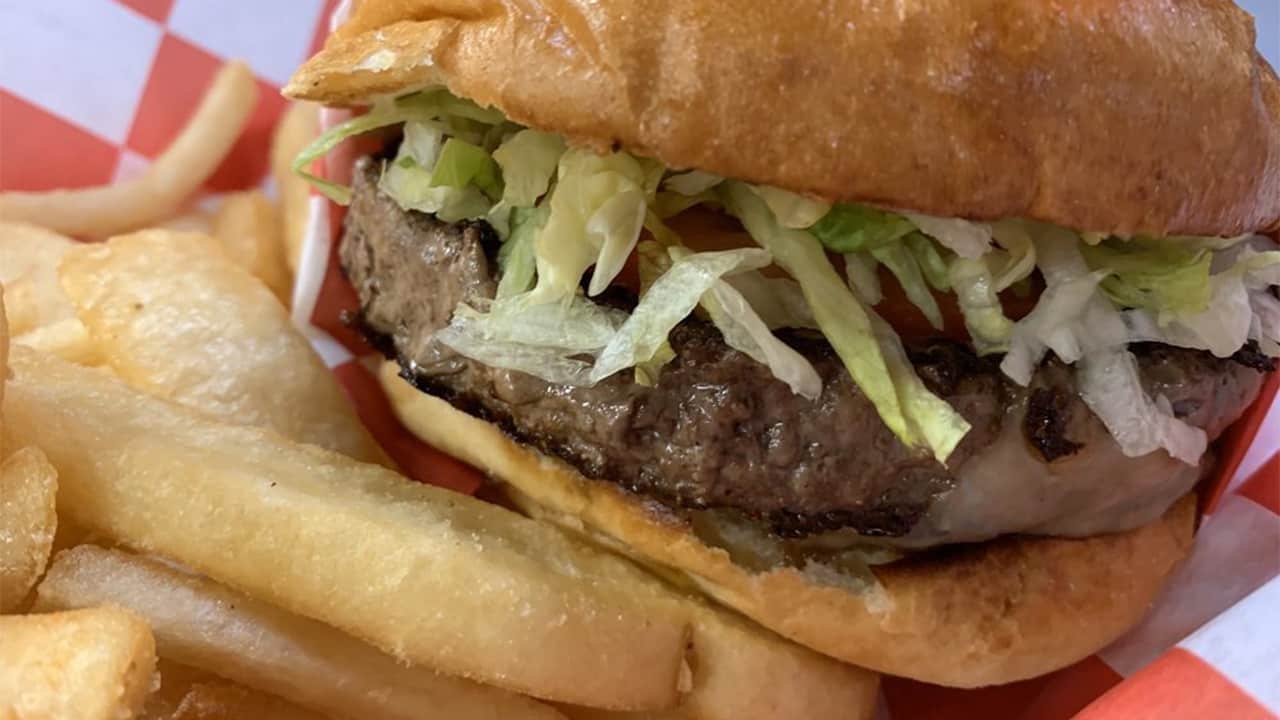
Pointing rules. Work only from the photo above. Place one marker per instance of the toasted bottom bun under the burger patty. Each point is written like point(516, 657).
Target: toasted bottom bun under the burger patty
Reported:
point(964, 617)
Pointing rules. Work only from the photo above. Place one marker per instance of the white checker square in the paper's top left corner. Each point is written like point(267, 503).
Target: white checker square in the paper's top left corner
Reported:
point(85, 61)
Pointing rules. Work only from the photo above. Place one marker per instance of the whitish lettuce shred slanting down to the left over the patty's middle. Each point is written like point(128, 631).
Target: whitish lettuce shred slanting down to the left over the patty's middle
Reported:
point(671, 299)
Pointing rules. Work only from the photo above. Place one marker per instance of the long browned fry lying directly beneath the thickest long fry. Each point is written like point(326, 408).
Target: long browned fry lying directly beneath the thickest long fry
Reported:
point(202, 625)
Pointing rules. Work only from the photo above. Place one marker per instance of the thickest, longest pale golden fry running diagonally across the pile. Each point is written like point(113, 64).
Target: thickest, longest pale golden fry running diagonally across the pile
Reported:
point(428, 576)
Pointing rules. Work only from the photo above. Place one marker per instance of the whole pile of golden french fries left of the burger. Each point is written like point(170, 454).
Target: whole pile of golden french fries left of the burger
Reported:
point(194, 523)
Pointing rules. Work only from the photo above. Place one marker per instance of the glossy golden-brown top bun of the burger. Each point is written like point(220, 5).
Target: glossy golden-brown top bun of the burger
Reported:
point(1139, 117)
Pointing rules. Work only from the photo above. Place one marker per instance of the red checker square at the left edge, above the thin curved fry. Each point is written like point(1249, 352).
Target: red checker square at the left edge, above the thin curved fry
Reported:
point(43, 152)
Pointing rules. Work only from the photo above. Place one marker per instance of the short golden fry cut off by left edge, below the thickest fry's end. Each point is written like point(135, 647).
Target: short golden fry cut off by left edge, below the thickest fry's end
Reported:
point(29, 486)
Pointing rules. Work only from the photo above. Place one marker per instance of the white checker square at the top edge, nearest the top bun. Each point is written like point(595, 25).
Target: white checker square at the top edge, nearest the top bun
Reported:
point(273, 38)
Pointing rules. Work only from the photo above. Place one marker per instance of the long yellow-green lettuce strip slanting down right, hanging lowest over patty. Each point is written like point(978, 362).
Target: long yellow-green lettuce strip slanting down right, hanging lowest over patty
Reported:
point(875, 359)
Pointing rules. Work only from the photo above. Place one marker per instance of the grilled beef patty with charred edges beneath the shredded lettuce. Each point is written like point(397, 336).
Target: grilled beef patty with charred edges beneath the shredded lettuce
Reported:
point(720, 432)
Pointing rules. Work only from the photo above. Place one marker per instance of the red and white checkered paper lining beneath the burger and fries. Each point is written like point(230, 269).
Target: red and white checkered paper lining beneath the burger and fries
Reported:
point(93, 90)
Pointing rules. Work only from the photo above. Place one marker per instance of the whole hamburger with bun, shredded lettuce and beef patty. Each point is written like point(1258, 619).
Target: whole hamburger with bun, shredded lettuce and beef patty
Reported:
point(904, 330)
